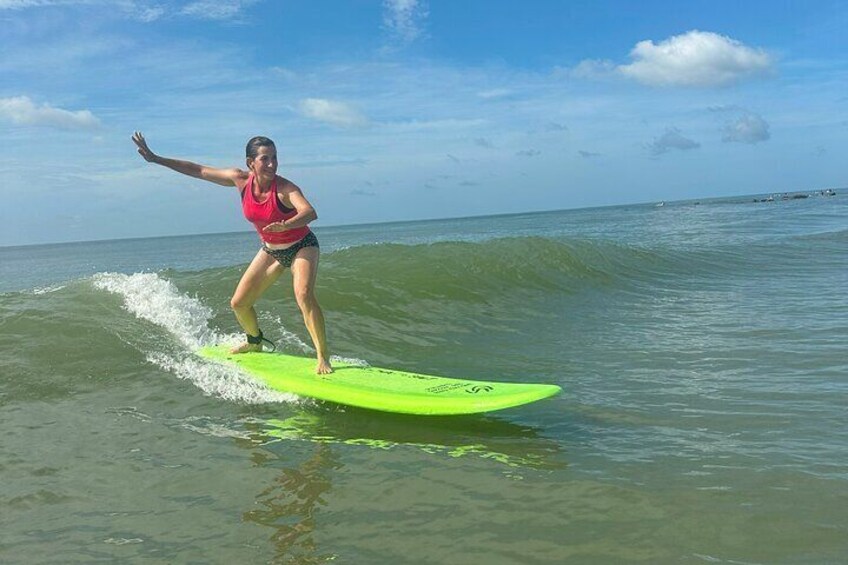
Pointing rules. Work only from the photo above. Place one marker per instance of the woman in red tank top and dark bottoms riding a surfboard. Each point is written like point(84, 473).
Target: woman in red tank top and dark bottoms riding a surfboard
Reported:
point(281, 215)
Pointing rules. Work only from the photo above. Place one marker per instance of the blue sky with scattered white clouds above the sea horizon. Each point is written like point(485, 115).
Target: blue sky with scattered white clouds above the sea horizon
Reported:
point(400, 110)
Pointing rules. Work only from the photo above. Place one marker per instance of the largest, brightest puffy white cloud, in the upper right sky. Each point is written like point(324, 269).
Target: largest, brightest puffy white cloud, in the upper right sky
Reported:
point(695, 58)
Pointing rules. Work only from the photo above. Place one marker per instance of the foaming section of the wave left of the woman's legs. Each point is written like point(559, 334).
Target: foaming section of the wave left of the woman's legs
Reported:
point(73, 337)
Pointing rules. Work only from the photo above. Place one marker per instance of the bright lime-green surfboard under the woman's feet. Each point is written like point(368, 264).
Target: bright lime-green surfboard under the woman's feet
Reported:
point(381, 389)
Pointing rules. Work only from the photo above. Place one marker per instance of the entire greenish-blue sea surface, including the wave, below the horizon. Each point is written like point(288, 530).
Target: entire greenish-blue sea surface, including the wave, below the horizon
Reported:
point(702, 349)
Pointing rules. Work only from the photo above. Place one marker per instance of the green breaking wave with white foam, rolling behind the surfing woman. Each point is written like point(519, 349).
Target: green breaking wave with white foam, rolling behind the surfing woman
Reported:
point(388, 303)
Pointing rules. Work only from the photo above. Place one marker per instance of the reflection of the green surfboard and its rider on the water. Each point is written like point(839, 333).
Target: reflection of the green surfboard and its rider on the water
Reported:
point(291, 503)
